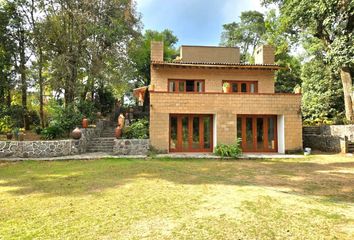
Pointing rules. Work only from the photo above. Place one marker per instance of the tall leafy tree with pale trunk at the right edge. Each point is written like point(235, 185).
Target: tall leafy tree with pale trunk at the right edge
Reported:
point(331, 22)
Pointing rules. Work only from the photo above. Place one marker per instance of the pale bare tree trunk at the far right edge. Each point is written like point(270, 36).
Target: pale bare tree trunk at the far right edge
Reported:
point(347, 90)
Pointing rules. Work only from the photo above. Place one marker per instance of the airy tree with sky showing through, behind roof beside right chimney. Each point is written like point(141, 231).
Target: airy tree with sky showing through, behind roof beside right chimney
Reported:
point(247, 33)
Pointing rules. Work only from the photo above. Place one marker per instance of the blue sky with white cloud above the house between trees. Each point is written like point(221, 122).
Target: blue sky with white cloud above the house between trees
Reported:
point(194, 22)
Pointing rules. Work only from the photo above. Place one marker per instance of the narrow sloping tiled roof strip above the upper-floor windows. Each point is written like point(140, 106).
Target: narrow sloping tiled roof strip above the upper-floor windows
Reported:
point(217, 65)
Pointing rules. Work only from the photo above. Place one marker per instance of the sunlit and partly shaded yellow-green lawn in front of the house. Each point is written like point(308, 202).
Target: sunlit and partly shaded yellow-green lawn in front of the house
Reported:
point(311, 198)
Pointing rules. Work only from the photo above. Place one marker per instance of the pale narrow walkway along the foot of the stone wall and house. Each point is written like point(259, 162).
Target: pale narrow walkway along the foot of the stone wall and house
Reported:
point(101, 155)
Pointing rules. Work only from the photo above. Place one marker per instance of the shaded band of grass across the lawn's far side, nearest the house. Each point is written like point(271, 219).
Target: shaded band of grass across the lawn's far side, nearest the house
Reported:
point(333, 181)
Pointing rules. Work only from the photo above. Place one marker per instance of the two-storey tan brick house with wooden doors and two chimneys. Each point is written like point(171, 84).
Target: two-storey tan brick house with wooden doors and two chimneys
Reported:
point(193, 110)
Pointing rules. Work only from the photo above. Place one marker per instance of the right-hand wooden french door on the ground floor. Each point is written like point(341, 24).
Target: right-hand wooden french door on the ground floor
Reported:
point(258, 133)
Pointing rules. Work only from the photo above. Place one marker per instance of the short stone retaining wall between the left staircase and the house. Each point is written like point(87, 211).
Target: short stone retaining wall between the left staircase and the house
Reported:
point(131, 146)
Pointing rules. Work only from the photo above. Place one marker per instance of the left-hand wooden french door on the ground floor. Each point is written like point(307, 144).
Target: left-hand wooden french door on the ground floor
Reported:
point(191, 133)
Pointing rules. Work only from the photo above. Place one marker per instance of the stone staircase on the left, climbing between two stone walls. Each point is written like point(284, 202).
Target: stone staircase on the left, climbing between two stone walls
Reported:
point(105, 142)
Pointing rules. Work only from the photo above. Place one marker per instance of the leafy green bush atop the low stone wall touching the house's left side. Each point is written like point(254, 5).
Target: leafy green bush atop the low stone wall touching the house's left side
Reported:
point(137, 130)
